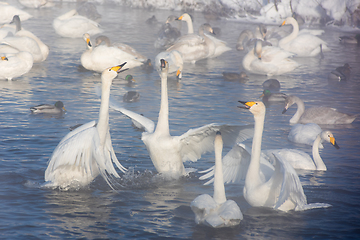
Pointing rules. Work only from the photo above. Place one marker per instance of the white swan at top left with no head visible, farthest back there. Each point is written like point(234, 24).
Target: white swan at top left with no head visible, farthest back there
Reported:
point(73, 25)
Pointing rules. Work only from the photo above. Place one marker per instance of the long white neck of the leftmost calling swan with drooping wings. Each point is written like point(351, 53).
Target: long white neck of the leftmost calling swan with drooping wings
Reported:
point(103, 123)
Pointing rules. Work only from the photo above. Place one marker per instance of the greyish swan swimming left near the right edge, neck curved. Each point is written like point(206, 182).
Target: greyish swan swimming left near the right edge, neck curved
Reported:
point(319, 115)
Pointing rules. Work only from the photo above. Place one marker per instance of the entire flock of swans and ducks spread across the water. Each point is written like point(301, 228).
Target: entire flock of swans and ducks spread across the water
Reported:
point(268, 176)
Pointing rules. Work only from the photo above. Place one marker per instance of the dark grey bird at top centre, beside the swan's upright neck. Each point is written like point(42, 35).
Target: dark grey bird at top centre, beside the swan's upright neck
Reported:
point(168, 34)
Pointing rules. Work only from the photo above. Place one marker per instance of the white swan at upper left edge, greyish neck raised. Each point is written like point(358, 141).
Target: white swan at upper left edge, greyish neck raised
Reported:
point(24, 40)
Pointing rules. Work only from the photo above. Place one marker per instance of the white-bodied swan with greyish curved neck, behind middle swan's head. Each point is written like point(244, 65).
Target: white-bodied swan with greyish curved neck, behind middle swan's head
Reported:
point(195, 47)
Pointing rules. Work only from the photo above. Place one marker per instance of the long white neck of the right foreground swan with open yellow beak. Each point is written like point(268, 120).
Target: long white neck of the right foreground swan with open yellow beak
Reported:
point(252, 176)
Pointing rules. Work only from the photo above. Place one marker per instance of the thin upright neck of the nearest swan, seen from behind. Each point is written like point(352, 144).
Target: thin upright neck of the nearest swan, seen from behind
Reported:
point(219, 188)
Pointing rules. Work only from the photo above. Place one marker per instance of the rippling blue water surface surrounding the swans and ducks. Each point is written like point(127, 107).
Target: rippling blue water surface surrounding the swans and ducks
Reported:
point(148, 207)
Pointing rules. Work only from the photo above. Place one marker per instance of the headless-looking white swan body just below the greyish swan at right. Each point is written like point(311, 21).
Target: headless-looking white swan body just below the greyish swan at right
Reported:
point(305, 133)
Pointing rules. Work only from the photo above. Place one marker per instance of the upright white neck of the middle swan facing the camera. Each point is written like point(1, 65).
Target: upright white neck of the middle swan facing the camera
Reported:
point(163, 121)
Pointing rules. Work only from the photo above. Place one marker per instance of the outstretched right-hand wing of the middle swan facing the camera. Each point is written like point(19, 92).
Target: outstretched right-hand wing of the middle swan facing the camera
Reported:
point(200, 140)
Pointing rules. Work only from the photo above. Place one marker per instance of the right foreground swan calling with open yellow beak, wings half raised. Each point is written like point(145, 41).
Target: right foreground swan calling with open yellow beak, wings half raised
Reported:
point(283, 190)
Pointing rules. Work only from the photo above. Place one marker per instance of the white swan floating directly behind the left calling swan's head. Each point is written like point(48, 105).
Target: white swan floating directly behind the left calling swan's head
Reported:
point(102, 57)
